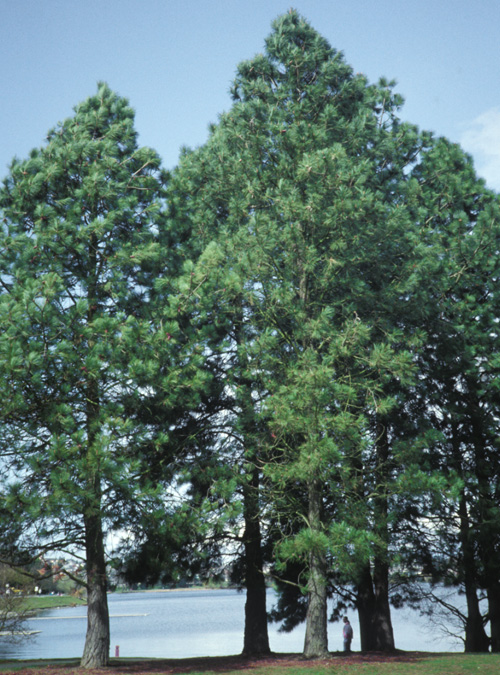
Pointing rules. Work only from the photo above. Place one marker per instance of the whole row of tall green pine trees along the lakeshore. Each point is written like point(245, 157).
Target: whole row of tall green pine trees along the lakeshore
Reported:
point(284, 351)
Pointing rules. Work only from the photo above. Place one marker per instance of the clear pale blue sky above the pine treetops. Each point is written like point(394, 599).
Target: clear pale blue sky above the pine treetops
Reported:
point(175, 59)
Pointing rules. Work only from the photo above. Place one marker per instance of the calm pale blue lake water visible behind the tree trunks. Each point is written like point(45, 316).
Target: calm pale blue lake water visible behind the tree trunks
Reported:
point(175, 624)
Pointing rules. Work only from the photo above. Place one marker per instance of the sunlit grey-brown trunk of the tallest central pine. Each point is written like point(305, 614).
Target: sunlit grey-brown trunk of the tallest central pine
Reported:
point(316, 639)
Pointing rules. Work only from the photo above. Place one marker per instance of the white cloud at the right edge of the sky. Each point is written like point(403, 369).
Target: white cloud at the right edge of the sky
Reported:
point(481, 138)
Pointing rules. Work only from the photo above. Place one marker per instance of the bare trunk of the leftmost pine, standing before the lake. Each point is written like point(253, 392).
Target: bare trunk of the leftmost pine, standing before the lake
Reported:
point(96, 650)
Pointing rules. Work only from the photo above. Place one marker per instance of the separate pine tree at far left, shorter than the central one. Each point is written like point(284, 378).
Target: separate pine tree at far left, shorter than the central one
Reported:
point(78, 258)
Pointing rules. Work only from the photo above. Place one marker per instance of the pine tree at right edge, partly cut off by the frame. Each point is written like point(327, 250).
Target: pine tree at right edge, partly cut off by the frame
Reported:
point(459, 222)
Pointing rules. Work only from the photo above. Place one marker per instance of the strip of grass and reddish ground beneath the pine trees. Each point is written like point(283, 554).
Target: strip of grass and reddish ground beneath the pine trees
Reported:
point(410, 663)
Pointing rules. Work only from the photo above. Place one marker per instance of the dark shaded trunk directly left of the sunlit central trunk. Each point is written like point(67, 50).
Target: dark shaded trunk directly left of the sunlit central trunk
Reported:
point(256, 639)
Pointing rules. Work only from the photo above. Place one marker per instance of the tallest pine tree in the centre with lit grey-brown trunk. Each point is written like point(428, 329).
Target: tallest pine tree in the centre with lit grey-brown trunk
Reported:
point(298, 191)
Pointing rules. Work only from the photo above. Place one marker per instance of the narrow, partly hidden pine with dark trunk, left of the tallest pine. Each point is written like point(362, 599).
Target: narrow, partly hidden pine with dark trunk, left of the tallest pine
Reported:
point(224, 317)
